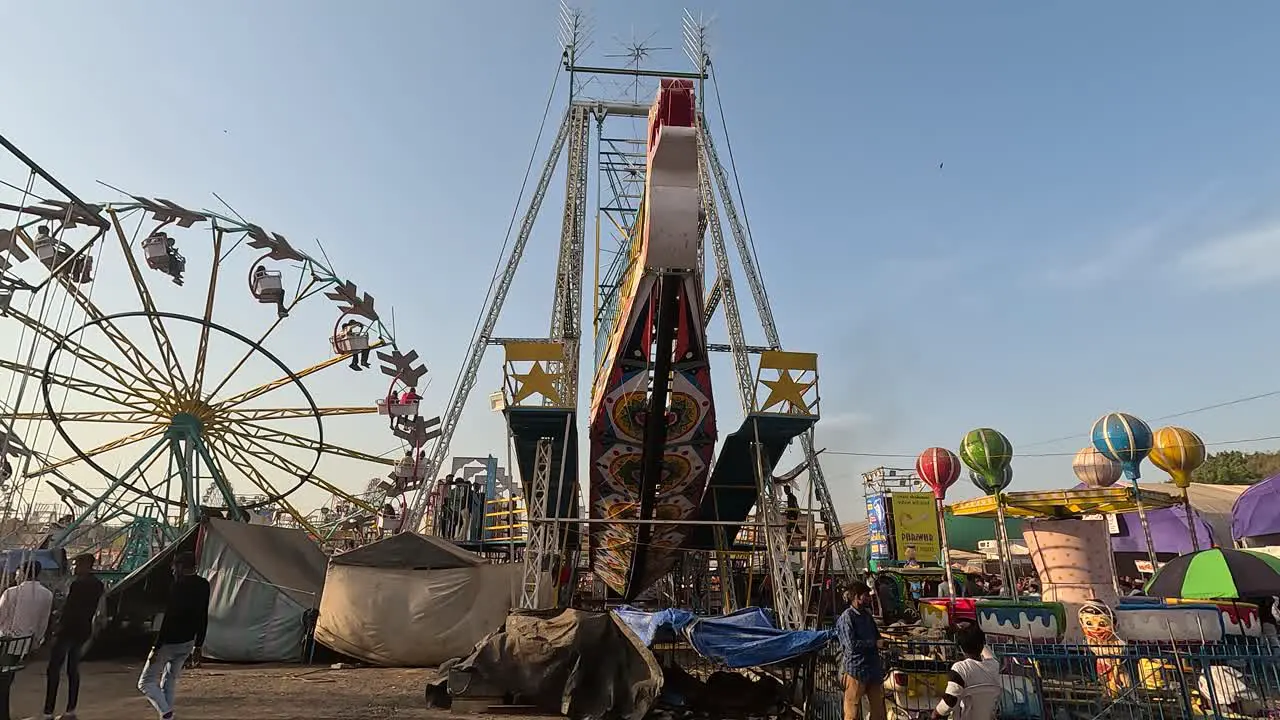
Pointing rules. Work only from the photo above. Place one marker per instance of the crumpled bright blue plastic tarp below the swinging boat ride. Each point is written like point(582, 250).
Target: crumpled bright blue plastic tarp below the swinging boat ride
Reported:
point(748, 639)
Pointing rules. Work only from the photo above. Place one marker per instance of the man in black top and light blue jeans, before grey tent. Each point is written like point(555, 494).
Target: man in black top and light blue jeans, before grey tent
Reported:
point(181, 637)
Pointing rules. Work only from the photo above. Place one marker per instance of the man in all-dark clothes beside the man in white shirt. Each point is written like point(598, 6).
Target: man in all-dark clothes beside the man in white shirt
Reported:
point(71, 632)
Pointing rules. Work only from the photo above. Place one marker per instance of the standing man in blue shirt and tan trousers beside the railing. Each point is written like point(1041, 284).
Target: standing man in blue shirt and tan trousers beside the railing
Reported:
point(863, 672)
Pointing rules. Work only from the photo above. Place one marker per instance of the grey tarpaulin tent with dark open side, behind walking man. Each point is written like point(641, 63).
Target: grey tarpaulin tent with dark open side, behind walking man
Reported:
point(262, 578)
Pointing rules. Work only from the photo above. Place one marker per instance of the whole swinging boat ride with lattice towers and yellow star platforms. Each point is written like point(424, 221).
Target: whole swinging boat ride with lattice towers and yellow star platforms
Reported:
point(662, 198)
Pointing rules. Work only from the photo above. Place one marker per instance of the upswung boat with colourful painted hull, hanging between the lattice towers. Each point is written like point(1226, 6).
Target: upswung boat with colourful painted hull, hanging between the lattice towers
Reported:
point(653, 420)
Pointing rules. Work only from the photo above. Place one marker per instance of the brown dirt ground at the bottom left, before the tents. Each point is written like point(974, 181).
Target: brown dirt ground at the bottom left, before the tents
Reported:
point(239, 692)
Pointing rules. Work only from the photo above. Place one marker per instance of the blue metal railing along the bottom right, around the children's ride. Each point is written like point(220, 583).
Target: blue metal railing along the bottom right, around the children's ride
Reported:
point(1080, 682)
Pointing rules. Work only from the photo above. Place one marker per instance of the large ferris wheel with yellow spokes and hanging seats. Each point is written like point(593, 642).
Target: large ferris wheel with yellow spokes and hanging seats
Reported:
point(172, 363)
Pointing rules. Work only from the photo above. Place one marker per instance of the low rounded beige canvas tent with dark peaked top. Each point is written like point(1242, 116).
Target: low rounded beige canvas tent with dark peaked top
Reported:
point(413, 601)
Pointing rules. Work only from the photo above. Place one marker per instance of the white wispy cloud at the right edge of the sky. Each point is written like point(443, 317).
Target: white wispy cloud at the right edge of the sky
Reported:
point(1241, 259)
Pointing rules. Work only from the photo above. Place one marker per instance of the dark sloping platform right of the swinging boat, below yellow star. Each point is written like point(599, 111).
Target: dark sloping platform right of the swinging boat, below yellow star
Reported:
point(732, 491)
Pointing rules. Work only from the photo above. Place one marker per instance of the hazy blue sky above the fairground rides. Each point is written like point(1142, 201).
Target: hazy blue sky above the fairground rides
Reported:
point(1103, 233)
